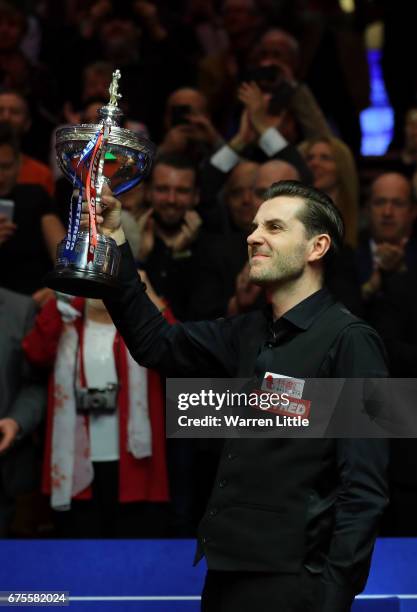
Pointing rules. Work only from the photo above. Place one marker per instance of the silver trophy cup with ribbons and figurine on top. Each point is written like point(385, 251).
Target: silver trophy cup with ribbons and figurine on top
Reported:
point(90, 156)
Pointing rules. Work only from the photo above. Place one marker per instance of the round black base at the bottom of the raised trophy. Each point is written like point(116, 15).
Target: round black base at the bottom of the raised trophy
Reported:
point(81, 282)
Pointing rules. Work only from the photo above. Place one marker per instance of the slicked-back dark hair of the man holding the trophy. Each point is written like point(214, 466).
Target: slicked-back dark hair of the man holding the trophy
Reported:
point(319, 214)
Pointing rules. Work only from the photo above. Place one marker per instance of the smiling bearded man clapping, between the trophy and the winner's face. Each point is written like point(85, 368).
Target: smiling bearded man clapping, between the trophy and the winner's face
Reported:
point(171, 248)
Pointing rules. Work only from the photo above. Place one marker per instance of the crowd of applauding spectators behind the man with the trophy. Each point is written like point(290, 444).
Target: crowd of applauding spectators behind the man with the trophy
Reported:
point(236, 94)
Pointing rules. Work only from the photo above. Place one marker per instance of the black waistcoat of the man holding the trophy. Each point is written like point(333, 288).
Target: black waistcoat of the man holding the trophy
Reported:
point(258, 514)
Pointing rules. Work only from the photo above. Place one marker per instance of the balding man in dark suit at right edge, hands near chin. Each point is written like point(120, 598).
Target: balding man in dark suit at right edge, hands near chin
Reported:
point(387, 260)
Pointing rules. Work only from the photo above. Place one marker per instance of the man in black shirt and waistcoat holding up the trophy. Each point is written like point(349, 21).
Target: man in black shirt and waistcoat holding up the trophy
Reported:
point(291, 523)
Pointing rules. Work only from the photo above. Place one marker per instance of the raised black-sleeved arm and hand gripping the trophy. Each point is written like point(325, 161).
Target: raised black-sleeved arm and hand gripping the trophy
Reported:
point(192, 349)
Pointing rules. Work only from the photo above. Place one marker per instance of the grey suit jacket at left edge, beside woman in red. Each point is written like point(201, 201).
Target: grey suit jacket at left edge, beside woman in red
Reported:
point(22, 394)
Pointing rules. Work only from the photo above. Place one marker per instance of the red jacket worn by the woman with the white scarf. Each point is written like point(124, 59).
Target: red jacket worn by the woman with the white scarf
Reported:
point(139, 479)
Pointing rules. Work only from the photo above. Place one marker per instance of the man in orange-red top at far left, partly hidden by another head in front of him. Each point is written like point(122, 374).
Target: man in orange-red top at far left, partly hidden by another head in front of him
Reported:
point(14, 110)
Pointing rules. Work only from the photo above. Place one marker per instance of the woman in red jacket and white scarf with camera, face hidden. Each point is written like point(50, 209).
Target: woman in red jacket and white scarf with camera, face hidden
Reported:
point(104, 464)
